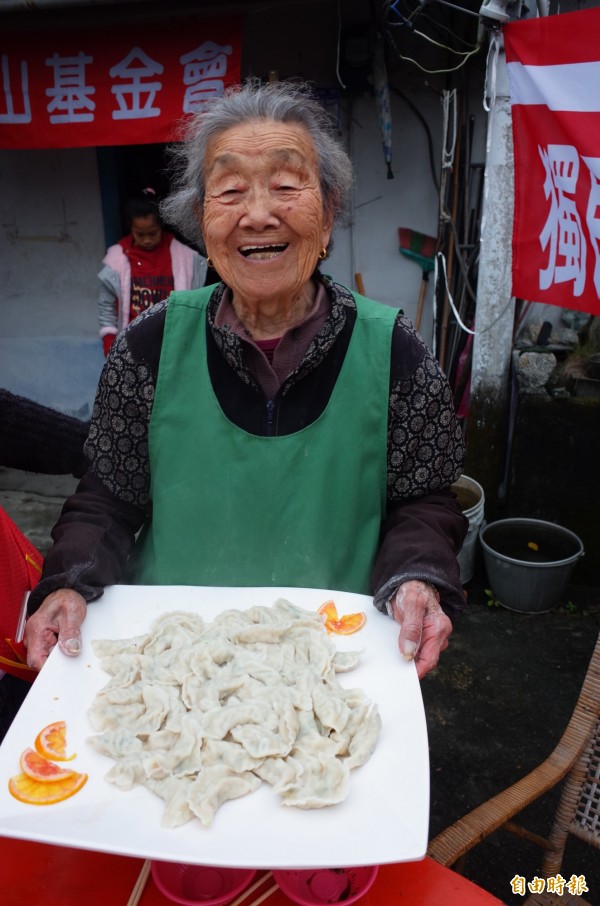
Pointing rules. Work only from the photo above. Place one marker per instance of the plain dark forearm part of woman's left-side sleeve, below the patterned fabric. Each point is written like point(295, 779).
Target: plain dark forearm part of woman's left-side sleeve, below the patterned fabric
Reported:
point(92, 541)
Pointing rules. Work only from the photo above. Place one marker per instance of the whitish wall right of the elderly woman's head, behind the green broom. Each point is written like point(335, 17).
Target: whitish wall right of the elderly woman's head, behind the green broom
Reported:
point(382, 205)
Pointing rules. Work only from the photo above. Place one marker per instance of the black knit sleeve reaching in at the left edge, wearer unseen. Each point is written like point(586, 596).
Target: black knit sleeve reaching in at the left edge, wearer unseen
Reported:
point(36, 438)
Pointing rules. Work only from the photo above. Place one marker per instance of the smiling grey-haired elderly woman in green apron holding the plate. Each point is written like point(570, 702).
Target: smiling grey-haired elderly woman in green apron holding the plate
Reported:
point(273, 429)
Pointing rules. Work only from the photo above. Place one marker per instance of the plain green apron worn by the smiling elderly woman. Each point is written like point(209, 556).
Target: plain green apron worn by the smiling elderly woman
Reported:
point(232, 508)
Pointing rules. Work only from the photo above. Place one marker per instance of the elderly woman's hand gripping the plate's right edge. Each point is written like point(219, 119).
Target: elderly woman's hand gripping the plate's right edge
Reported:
point(424, 627)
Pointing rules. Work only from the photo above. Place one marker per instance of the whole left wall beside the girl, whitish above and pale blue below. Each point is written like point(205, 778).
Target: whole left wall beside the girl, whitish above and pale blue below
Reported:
point(51, 246)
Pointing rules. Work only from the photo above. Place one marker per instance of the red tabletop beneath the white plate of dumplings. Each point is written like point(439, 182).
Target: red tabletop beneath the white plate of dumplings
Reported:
point(37, 874)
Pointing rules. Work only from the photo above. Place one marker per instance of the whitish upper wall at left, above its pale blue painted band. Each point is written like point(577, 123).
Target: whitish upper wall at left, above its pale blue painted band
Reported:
point(51, 243)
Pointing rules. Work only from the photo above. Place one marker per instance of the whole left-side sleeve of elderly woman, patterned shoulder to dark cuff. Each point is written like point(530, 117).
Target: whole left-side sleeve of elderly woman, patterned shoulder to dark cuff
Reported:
point(96, 530)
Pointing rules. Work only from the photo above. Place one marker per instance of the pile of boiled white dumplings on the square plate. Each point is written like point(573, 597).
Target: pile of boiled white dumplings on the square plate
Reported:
point(204, 712)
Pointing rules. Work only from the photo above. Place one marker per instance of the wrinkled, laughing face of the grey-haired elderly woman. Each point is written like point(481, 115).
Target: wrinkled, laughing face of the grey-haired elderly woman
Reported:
point(263, 220)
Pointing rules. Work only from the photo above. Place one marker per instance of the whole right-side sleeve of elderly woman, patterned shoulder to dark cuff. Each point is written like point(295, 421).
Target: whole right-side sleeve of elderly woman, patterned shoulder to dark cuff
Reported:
point(424, 526)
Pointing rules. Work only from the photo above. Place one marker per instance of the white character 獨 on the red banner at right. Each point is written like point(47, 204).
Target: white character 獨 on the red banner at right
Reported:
point(562, 235)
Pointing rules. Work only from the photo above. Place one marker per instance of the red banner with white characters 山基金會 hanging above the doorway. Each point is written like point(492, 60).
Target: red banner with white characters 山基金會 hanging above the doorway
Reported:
point(112, 86)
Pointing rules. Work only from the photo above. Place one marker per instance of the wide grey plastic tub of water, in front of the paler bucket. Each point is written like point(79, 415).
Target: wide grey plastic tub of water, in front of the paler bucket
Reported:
point(529, 562)
